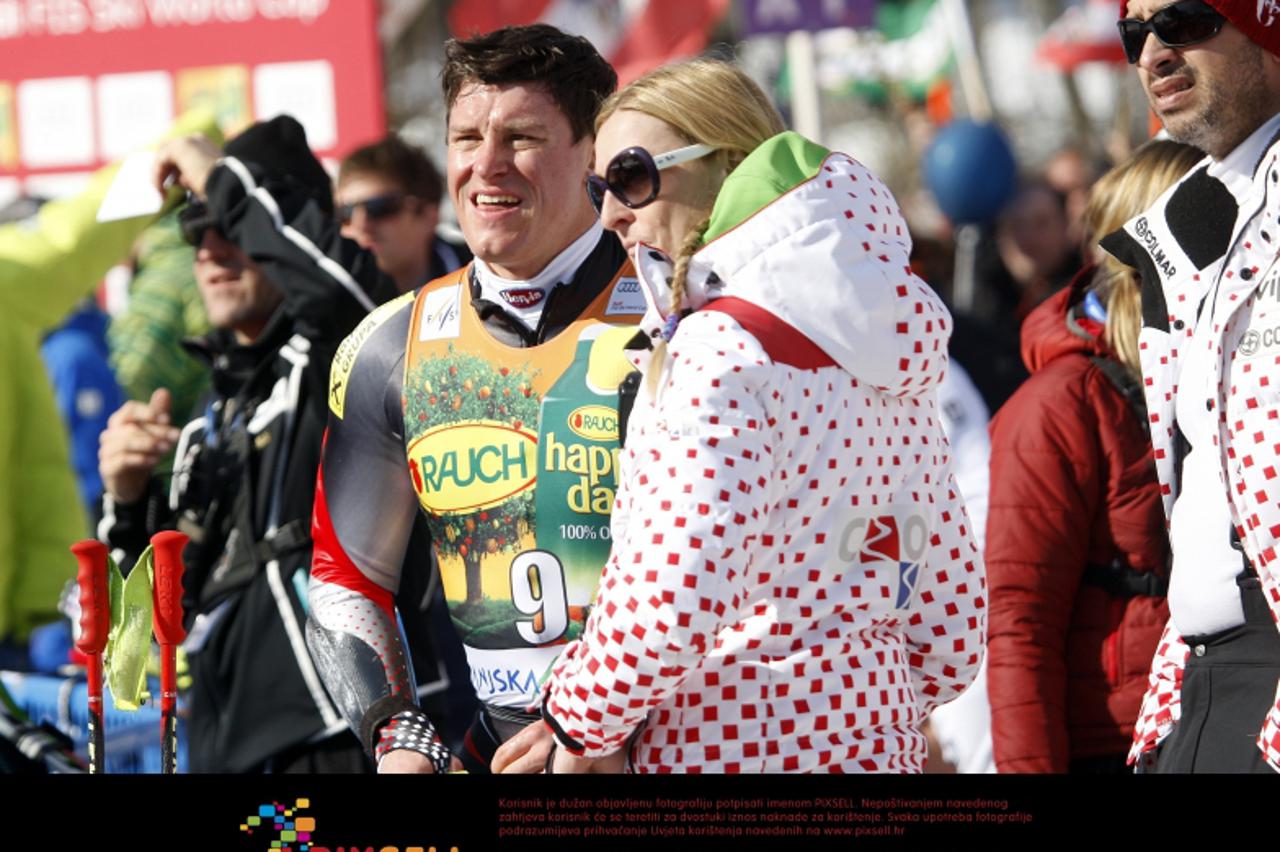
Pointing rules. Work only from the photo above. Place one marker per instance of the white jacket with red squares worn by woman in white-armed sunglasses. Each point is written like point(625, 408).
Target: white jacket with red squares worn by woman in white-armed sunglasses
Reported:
point(794, 584)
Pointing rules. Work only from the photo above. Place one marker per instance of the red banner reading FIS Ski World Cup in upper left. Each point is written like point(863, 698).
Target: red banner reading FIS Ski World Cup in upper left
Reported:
point(84, 83)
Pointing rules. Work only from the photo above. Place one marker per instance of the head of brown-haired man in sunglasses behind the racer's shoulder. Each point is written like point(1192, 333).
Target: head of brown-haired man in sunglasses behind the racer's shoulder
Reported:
point(388, 200)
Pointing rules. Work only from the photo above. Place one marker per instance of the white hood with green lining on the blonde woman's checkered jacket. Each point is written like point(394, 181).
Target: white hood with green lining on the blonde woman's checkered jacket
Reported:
point(817, 241)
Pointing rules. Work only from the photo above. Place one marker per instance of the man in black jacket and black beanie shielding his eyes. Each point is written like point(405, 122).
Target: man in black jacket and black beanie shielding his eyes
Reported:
point(245, 471)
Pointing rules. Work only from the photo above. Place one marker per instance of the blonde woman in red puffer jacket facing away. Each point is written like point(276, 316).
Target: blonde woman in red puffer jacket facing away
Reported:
point(1076, 538)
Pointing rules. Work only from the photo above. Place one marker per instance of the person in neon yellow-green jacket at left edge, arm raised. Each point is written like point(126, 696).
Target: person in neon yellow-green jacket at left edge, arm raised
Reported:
point(47, 267)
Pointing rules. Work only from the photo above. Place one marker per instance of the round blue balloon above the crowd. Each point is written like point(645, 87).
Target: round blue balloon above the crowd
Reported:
point(971, 171)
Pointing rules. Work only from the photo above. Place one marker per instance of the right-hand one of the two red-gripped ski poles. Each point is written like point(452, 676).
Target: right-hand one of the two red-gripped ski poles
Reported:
point(167, 624)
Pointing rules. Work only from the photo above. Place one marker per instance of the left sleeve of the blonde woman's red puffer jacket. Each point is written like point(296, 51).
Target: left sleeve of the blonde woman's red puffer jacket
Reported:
point(1044, 497)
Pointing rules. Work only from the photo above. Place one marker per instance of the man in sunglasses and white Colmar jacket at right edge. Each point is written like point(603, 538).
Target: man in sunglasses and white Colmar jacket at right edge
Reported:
point(1210, 346)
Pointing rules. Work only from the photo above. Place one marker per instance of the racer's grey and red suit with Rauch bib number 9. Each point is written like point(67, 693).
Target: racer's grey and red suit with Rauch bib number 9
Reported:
point(506, 438)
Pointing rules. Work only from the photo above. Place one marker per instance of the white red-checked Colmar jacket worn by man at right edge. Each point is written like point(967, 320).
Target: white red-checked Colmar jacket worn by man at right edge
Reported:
point(1213, 239)
